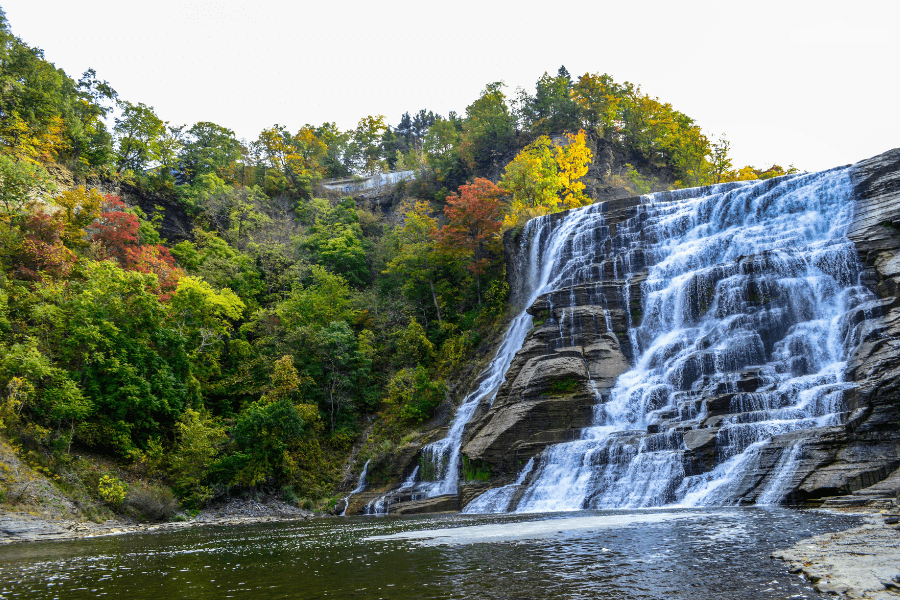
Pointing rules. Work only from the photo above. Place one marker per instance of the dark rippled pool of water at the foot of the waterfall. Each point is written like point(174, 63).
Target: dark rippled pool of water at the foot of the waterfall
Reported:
point(690, 553)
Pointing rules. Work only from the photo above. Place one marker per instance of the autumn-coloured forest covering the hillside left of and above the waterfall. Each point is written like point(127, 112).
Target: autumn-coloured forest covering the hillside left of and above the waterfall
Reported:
point(251, 353)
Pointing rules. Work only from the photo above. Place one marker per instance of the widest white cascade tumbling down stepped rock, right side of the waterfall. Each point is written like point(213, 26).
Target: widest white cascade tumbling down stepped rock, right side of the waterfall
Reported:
point(747, 283)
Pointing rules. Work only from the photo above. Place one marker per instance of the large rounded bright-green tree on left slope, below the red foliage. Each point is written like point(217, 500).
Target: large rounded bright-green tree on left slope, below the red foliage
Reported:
point(109, 329)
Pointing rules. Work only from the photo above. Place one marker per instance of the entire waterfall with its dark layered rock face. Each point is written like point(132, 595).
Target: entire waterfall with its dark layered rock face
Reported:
point(730, 344)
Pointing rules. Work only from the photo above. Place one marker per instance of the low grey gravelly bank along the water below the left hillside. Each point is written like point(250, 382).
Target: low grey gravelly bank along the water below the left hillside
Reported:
point(22, 527)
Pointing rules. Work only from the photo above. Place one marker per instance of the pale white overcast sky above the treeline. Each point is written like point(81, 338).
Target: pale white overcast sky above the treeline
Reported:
point(815, 84)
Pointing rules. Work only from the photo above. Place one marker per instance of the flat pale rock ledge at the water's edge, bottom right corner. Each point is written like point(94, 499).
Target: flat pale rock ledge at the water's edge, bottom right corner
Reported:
point(863, 562)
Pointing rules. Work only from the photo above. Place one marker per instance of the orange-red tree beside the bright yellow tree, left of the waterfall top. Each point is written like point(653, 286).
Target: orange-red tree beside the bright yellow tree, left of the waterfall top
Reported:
point(474, 217)
